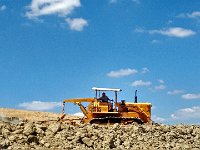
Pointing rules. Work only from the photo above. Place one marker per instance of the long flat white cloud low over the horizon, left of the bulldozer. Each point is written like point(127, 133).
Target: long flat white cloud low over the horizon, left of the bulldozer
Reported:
point(41, 106)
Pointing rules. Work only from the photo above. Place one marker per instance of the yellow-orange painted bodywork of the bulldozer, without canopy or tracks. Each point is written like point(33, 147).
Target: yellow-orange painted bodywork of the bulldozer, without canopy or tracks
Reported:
point(97, 109)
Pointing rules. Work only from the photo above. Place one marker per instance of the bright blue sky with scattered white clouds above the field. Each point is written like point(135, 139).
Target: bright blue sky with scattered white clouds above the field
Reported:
point(52, 50)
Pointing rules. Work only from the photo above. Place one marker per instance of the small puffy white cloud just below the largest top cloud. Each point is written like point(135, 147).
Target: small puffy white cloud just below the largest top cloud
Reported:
point(77, 24)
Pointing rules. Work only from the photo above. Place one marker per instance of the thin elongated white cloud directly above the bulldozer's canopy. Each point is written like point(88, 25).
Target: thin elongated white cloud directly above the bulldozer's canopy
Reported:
point(122, 73)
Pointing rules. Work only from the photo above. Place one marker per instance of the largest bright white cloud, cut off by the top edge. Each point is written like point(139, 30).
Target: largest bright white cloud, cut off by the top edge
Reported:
point(49, 7)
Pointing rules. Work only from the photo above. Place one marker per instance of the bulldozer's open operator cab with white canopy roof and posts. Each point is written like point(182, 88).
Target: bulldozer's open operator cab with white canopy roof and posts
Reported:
point(109, 104)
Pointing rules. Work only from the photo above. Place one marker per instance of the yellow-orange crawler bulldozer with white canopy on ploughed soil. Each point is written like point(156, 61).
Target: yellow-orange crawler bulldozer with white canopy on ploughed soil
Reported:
point(111, 111)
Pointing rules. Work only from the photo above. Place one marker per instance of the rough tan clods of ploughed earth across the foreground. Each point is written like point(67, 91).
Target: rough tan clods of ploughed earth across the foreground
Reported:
point(30, 135)
